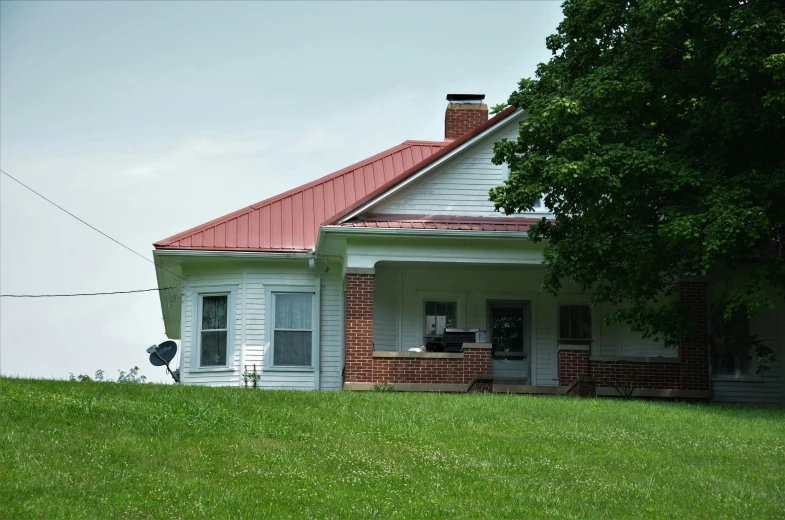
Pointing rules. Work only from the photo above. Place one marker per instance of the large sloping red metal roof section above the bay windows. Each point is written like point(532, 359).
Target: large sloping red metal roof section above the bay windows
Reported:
point(290, 221)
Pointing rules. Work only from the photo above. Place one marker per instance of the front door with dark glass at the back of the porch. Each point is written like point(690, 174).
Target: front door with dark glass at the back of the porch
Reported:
point(509, 328)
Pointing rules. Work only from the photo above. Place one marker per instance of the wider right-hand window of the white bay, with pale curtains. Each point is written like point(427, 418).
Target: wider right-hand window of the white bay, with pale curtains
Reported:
point(292, 340)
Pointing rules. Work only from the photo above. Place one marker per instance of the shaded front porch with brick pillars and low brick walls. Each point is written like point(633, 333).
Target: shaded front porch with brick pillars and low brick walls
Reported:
point(527, 341)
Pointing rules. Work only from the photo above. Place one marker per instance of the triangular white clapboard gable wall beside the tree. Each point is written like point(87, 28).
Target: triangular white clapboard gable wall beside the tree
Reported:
point(459, 187)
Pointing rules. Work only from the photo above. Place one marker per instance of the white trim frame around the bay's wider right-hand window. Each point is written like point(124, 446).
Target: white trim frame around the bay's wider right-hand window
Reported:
point(269, 326)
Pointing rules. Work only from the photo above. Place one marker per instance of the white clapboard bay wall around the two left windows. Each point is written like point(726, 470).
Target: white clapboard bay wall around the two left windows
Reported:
point(250, 341)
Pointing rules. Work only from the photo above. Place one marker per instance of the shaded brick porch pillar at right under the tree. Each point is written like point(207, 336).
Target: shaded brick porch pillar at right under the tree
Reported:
point(694, 356)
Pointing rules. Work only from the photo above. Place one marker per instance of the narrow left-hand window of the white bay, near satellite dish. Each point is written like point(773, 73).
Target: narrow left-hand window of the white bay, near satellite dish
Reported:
point(213, 330)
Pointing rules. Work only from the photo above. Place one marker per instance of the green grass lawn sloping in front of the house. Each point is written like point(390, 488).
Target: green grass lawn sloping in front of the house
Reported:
point(106, 450)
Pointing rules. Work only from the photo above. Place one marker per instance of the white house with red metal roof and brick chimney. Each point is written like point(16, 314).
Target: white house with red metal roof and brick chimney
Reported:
point(331, 285)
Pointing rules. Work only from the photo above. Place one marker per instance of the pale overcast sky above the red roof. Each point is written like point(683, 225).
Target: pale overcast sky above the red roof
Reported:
point(148, 118)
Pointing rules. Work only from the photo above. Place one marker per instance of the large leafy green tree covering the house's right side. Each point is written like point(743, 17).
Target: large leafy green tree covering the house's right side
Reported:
point(656, 133)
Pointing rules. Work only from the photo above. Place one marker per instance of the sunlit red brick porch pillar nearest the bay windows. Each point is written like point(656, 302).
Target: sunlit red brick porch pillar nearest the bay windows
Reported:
point(358, 330)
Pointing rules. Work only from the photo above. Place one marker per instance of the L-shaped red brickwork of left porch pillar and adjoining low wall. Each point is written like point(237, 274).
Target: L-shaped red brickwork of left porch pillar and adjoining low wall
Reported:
point(362, 367)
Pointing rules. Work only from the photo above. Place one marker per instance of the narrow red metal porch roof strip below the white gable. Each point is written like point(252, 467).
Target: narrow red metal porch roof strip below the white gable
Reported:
point(443, 222)
